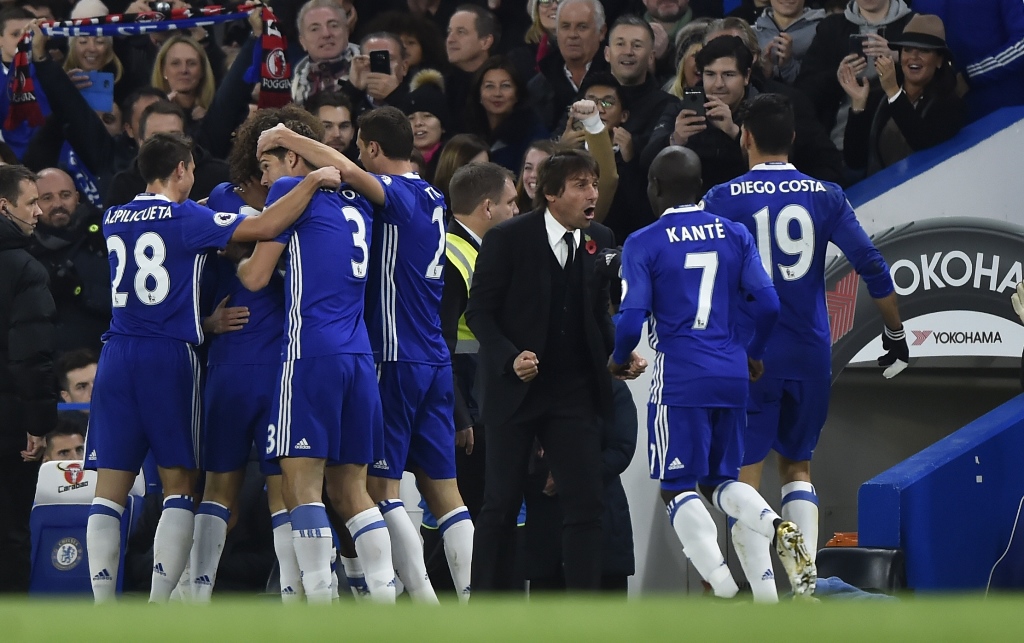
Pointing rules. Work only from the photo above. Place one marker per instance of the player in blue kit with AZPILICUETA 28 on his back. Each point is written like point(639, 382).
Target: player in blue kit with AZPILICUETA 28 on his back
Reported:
point(147, 393)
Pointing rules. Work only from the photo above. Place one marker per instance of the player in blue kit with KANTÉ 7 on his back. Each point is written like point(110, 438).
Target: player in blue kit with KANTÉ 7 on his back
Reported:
point(689, 272)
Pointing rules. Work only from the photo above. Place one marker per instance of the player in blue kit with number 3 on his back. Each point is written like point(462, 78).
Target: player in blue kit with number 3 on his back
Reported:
point(326, 340)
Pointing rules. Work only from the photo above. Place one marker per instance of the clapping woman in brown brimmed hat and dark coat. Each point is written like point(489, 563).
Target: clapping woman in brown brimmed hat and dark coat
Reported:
point(921, 113)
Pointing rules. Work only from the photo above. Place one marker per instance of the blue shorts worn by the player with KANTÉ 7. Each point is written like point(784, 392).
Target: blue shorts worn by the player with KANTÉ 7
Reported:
point(691, 446)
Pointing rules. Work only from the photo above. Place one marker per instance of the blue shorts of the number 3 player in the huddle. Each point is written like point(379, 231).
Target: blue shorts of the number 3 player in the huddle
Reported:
point(327, 408)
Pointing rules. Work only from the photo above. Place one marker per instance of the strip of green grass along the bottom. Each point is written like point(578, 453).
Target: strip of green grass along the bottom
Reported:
point(676, 619)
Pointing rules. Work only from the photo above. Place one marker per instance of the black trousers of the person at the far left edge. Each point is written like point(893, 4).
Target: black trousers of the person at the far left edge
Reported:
point(18, 490)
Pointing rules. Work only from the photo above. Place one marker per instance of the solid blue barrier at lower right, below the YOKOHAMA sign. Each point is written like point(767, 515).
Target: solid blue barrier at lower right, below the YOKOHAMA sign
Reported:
point(953, 506)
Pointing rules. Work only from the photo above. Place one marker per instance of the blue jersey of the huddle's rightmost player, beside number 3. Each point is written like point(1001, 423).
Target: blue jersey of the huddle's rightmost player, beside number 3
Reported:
point(404, 296)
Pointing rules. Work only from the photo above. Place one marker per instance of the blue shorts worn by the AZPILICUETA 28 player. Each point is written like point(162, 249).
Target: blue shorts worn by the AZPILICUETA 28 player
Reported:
point(147, 397)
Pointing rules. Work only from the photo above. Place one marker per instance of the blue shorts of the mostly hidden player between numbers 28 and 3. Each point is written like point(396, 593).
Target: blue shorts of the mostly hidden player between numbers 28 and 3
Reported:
point(238, 402)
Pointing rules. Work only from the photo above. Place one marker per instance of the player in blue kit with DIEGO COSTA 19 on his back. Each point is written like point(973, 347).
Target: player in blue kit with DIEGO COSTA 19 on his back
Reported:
point(793, 218)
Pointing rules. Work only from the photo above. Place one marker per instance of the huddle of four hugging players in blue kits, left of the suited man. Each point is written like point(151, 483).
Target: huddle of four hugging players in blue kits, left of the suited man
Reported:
point(304, 378)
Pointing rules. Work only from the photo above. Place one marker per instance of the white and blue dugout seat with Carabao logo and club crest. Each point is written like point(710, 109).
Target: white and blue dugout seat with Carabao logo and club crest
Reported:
point(64, 495)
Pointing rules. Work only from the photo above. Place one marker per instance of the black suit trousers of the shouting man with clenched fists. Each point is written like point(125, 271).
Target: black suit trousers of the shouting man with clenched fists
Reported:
point(569, 430)
